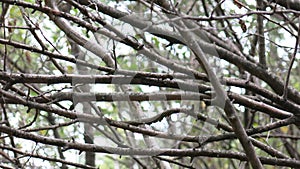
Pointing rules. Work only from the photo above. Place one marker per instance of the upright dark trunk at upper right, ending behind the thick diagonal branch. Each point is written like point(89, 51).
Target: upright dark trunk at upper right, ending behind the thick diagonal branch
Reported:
point(261, 36)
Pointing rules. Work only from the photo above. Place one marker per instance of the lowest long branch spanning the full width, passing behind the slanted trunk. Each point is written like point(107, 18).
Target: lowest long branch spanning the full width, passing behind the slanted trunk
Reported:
point(148, 152)
